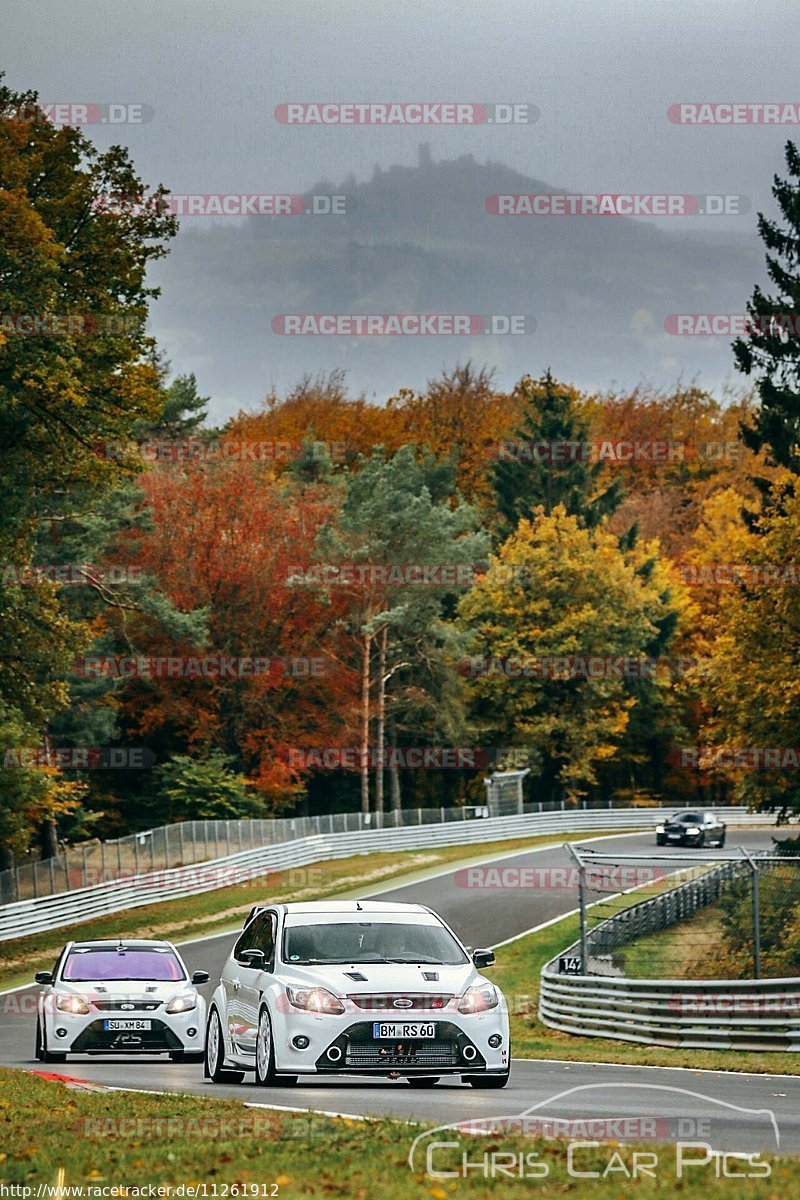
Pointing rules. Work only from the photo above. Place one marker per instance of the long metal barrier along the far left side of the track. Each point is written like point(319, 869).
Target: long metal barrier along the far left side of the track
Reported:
point(118, 896)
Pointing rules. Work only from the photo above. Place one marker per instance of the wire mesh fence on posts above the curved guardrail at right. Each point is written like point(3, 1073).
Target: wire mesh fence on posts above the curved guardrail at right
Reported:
point(735, 916)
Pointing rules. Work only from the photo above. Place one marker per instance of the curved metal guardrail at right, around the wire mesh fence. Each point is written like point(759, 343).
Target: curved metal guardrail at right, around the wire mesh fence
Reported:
point(723, 1015)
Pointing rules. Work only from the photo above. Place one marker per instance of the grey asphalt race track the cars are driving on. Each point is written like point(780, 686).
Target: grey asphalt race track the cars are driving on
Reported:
point(682, 1100)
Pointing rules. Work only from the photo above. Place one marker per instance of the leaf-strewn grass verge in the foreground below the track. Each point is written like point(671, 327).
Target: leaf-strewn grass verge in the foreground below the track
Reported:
point(93, 1141)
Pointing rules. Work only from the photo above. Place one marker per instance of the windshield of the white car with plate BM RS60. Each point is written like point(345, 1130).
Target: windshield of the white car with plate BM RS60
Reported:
point(371, 941)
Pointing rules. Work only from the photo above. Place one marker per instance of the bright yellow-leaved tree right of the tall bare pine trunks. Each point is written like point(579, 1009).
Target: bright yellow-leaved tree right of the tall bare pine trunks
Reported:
point(558, 590)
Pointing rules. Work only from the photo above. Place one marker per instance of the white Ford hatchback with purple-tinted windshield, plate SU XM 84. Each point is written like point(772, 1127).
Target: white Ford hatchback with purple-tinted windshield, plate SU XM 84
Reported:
point(121, 998)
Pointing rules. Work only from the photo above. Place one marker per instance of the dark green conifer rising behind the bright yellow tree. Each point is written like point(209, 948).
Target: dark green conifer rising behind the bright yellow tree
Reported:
point(548, 463)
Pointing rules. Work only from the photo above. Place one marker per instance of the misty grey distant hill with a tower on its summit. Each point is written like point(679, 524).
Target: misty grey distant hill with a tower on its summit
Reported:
point(419, 239)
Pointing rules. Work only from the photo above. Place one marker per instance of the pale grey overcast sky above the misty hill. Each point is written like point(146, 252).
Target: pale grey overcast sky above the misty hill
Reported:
point(603, 74)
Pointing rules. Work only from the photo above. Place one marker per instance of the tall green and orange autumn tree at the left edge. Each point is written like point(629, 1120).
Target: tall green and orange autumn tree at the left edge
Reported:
point(74, 371)
